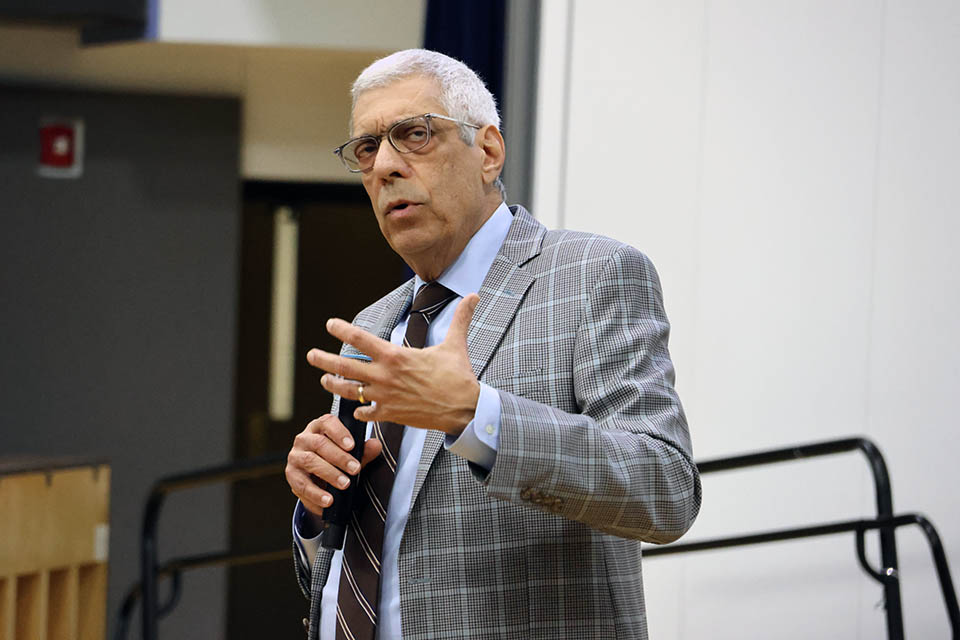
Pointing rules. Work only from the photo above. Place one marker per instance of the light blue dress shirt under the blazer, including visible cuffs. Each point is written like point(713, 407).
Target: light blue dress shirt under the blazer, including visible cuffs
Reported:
point(478, 442)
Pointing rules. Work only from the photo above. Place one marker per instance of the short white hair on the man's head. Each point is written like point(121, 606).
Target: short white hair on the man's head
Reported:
point(463, 94)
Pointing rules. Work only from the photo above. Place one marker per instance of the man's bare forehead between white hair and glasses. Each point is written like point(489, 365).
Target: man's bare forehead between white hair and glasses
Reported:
point(377, 109)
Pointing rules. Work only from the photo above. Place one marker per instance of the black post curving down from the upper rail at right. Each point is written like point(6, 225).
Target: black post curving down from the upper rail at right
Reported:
point(888, 543)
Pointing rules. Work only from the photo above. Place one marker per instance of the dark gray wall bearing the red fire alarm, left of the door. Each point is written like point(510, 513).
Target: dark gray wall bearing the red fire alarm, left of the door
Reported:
point(117, 312)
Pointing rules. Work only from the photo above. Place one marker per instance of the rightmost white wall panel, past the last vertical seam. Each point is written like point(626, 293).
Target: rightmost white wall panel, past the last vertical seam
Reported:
point(914, 375)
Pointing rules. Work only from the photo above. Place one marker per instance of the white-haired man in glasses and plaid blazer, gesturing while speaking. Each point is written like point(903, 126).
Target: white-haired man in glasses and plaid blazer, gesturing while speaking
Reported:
point(542, 436)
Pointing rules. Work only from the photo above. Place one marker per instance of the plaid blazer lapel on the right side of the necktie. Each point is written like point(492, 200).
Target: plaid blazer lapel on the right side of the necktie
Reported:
point(503, 289)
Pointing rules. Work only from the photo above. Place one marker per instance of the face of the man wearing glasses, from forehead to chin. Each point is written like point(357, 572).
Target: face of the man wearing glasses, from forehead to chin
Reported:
point(430, 202)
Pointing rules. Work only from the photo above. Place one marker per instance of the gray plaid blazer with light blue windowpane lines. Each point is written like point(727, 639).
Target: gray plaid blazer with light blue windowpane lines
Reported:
point(594, 452)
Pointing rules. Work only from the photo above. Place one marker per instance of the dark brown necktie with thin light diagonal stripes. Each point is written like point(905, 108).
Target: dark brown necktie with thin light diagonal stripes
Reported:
point(359, 592)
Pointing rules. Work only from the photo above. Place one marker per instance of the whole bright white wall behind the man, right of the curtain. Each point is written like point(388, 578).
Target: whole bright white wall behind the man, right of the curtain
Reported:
point(792, 169)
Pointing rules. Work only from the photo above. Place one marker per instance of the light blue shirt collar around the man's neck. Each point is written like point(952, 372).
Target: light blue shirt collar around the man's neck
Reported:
point(467, 272)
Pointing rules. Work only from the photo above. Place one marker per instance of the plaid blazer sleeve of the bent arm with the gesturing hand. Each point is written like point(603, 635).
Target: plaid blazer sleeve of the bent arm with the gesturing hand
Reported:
point(622, 463)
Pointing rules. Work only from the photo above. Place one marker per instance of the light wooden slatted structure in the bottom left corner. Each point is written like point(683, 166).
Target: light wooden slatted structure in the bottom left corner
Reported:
point(54, 535)
